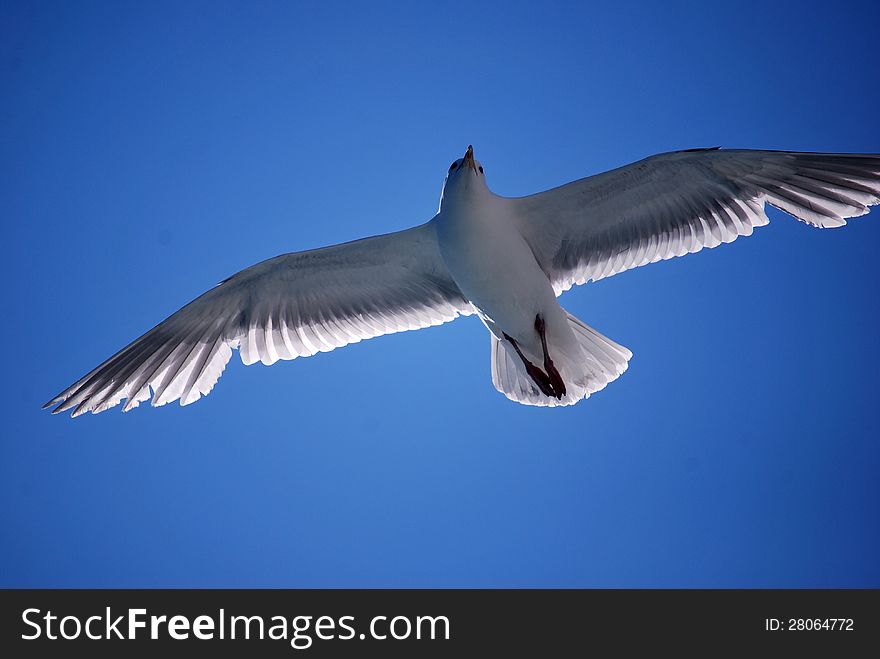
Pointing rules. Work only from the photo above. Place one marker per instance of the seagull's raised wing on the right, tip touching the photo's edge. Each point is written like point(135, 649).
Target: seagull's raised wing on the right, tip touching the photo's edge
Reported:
point(677, 203)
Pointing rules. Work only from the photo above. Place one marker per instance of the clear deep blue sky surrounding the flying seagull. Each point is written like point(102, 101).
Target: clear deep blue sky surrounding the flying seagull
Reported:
point(149, 151)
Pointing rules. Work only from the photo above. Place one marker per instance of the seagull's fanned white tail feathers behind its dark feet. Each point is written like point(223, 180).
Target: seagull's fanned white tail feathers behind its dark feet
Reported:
point(598, 361)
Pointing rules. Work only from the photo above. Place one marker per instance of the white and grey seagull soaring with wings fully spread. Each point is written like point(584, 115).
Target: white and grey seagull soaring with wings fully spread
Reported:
point(506, 260)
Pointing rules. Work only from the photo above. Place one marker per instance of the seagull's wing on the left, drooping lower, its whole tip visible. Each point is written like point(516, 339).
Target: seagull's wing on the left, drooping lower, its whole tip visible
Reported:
point(290, 306)
